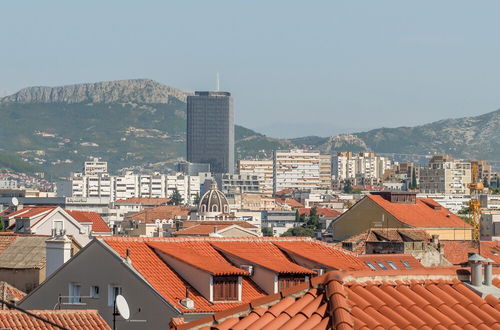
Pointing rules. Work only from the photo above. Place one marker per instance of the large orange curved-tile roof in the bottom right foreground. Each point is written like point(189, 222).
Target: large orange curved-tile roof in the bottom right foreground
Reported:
point(346, 301)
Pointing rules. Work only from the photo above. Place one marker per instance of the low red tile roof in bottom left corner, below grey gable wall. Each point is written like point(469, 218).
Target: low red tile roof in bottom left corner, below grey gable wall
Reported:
point(70, 319)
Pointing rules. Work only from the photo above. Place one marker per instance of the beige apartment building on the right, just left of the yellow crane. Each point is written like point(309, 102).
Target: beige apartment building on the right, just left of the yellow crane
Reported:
point(445, 175)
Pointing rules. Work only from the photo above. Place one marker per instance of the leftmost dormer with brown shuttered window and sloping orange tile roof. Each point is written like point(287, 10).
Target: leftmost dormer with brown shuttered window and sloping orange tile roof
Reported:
point(216, 280)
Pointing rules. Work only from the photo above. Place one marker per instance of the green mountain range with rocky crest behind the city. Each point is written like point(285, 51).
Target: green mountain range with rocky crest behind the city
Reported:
point(140, 125)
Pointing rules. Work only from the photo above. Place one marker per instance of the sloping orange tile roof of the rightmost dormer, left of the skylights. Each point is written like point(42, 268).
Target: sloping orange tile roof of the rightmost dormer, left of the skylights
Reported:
point(328, 255)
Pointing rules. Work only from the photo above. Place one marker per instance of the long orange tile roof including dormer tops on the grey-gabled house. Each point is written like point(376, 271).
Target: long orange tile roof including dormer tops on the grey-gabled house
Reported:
point(148, 257)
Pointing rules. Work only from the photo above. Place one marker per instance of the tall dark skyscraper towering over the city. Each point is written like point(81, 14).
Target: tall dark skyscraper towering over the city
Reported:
point(210, 130)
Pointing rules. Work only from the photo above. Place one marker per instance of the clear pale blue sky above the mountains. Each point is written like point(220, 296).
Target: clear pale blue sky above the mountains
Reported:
point(294, 68)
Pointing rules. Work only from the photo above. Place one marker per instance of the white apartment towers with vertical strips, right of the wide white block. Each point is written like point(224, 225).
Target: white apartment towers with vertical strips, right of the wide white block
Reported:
point(364, 165)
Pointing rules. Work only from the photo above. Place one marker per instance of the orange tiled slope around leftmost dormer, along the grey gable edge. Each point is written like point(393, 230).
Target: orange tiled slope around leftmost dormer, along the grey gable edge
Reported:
point(166, 281)
